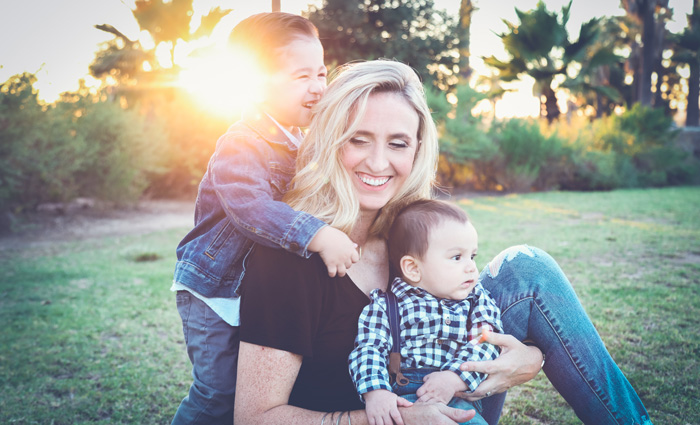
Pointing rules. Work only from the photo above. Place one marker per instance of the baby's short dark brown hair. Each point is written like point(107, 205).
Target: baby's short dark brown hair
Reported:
point(410, 231)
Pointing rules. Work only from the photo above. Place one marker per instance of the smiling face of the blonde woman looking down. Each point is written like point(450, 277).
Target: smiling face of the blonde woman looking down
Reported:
point(379, 156)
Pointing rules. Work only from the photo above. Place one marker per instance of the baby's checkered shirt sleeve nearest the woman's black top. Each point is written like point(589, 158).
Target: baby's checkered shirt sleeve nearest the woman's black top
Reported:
point(368, 361)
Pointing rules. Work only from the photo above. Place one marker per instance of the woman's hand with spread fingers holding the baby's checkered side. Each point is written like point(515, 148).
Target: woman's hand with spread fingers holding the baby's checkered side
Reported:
point(518, 363)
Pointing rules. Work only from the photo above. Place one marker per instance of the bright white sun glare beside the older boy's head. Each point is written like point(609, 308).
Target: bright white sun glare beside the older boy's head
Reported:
point(224, 80)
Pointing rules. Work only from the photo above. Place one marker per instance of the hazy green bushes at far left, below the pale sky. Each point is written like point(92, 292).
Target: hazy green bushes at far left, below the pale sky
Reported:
point(81, 146)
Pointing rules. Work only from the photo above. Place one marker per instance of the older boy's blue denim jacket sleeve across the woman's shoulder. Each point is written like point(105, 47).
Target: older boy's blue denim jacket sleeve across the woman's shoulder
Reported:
point(243, 183)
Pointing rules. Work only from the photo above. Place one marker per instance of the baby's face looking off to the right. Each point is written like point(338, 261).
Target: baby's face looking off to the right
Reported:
point(447, 270)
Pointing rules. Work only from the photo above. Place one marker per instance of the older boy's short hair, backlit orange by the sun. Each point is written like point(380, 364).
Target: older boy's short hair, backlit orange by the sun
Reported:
point(263, 33)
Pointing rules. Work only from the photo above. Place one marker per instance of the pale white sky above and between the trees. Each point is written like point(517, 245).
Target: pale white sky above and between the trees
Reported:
point(56, 39)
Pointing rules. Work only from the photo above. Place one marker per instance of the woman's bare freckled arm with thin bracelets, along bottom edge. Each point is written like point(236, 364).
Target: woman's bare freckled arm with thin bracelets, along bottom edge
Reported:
point(265, 380)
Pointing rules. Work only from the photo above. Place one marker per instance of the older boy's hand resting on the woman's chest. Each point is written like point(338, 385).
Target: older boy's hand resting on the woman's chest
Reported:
point(336, 249)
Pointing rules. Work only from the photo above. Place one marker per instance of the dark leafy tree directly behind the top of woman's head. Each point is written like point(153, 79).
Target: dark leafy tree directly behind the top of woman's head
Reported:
point(413, 32)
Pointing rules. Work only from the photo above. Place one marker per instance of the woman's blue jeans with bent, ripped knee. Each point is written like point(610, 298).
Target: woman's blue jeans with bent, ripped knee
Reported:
point(538, 304)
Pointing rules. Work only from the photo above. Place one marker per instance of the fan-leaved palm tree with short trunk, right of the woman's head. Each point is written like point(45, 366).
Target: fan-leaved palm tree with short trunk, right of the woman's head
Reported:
point(540, 47)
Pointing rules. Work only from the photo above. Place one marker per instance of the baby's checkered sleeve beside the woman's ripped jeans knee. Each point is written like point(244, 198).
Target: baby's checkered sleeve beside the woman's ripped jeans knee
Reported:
point(484, 315)
